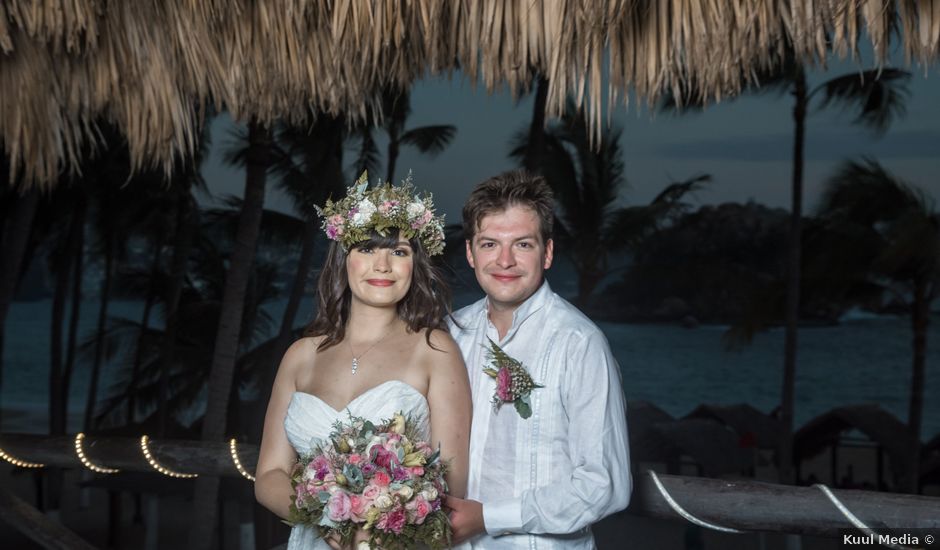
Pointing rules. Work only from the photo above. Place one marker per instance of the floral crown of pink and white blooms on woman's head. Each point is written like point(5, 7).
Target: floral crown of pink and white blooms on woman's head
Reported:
point(353, 218)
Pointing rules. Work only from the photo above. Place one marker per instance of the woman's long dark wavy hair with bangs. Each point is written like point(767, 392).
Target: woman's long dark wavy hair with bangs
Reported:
point(424, 307)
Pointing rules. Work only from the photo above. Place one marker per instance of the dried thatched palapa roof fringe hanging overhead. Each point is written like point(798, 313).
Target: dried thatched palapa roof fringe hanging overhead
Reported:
point(150, 66)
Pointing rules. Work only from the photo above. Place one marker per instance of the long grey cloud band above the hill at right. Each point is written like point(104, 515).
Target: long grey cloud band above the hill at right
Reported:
point(820, 146)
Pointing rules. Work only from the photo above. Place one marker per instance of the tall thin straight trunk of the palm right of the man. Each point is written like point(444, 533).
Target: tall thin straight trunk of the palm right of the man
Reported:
point(792, 313)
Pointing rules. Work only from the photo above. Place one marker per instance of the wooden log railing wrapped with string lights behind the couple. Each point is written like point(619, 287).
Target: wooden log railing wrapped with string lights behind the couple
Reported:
point(741, 504)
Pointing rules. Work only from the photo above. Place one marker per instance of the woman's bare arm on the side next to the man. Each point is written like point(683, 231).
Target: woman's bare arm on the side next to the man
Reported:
point(451, 408)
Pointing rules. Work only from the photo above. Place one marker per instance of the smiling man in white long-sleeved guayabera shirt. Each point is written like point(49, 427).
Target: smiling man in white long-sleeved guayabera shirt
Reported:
point(539, 481)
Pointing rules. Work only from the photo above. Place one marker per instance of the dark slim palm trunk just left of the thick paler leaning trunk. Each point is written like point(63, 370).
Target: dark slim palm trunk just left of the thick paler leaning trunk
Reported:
point(183, 240)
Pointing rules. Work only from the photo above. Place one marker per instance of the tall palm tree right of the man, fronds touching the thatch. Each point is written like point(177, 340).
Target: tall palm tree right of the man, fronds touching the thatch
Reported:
point(877, 98)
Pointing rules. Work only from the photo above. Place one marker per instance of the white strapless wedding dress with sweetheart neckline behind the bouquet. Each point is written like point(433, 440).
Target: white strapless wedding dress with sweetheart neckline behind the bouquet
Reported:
point(309, 419)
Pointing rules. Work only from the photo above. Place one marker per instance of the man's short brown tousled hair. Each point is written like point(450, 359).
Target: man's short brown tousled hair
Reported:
point(513, 188)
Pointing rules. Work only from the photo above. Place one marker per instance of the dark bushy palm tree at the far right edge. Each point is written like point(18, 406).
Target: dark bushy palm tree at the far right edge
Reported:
point(885, 236)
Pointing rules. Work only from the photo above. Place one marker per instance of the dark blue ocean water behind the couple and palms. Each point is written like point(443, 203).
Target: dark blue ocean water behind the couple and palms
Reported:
point(865, 359)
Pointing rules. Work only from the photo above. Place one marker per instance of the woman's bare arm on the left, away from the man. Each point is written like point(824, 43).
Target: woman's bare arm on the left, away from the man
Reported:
point(277, 457)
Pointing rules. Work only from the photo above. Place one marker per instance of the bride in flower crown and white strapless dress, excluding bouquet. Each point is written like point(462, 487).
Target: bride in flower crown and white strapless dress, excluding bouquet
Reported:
point(378, 345)
